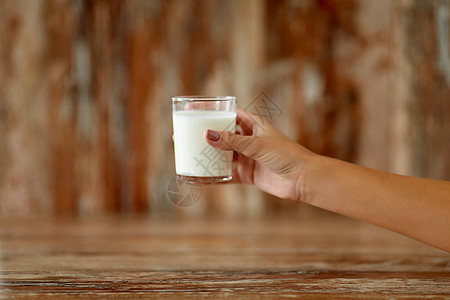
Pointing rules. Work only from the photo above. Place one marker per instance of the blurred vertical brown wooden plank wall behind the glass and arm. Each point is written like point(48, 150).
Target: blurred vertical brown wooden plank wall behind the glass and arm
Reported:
point(85, 87)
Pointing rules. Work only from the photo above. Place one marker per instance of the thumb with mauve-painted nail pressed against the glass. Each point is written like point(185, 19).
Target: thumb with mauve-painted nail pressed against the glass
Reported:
point(226, 140)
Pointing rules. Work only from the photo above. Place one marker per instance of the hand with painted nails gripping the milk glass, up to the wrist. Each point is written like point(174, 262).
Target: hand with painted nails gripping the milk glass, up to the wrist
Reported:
point(265, 157)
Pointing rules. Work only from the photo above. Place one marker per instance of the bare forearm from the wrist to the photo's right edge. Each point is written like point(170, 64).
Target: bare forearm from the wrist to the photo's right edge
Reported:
point(416, 207)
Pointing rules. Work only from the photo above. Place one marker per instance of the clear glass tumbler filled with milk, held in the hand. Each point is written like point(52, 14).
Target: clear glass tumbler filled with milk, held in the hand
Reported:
point(196, 160)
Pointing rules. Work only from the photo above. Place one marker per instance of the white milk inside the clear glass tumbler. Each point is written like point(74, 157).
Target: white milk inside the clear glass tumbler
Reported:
point(193, 156)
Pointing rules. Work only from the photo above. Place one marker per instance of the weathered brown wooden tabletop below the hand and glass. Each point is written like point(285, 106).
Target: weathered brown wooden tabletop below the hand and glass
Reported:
point(319, 256)
